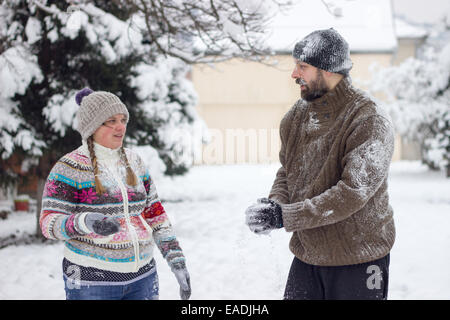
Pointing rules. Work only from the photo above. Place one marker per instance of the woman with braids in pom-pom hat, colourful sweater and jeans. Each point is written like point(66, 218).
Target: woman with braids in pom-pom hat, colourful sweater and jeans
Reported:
point(102, 202)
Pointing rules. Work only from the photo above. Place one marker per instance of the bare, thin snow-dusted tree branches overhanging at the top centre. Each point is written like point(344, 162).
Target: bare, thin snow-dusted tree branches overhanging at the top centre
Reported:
point(175, 28)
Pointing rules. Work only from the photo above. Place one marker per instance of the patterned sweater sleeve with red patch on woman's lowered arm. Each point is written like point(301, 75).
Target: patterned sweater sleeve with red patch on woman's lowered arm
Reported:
point(163, 234)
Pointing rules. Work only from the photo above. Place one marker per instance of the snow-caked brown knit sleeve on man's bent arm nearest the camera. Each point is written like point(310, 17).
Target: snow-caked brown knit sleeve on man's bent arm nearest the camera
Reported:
point(368, 153)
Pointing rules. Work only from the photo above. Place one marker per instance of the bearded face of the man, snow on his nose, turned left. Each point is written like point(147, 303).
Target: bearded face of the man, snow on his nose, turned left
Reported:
point(311, 81)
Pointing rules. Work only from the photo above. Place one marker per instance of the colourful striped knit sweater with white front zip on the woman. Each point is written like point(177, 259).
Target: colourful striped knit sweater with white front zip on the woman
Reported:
point(69, 195)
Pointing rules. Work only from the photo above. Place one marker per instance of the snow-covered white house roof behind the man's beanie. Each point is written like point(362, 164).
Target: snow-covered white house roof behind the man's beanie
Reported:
point(367, 25)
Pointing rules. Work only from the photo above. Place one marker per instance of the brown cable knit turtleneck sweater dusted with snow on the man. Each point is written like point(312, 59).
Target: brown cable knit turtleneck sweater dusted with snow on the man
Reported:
point(332, 184)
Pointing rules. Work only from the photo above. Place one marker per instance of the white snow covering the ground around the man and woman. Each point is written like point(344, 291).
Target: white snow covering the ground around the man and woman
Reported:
point(227, 261)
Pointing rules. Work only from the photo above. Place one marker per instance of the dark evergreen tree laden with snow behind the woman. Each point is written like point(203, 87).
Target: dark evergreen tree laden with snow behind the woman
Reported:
point(44, 64)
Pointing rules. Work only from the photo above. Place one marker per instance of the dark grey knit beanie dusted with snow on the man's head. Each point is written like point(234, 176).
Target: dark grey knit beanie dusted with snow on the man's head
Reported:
point(326, 50)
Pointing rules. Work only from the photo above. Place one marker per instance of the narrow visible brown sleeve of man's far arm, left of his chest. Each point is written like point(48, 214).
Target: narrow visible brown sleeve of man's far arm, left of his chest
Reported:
point(279, 191)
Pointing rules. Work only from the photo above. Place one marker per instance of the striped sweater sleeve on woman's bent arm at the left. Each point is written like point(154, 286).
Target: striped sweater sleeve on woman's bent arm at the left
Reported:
point(58, 218)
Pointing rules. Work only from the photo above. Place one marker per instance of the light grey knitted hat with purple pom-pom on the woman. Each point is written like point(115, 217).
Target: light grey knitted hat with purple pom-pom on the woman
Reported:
point(95, 108)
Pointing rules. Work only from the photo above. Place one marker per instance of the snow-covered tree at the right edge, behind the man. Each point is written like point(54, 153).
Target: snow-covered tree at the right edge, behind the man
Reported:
point(418, 92)
